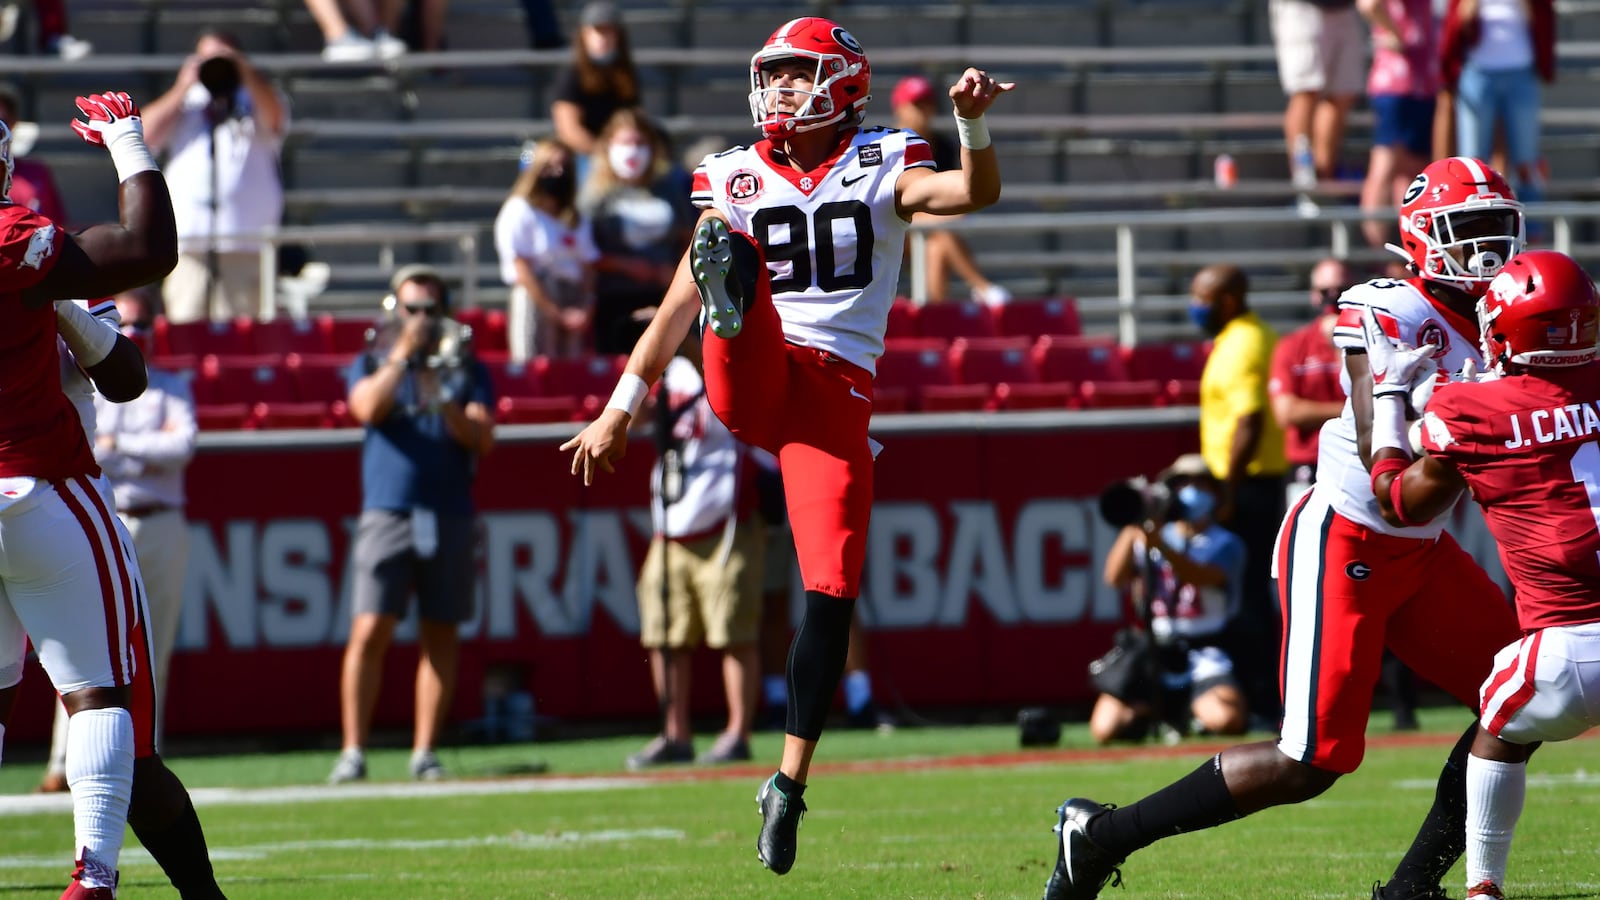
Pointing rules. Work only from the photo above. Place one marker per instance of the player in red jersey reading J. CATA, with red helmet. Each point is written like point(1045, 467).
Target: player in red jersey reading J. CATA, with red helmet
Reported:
point(1527, 444)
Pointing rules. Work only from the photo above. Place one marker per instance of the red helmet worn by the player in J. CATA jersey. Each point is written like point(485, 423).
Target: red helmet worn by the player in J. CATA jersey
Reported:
point(1542, 310)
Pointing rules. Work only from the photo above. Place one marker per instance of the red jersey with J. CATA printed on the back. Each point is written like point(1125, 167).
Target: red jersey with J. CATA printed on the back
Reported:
point(1529, 448)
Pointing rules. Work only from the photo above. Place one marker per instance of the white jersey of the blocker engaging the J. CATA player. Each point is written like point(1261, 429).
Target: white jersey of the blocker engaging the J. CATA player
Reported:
point(1406, 315)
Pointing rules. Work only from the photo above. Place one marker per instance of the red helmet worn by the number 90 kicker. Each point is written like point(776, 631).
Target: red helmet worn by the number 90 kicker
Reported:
point(839, 87)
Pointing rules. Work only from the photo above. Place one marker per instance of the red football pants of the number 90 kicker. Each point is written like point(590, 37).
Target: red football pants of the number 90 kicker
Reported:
point(812, 411)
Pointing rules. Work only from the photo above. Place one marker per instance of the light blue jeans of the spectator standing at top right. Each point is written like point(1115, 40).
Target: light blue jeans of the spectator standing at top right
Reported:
point(1508, 97)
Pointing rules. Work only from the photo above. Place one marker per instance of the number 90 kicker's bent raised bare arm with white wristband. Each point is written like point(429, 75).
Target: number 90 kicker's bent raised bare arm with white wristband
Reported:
point(977, 185)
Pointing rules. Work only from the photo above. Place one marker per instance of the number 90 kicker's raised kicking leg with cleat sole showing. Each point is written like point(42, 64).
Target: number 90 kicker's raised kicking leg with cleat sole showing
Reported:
point(743, 347)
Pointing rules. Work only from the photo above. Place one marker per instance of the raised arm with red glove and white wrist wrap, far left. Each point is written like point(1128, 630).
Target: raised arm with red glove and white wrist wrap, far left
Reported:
point(143, 246)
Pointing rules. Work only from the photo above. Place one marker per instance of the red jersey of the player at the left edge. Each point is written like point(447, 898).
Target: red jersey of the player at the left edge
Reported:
point(41, 435)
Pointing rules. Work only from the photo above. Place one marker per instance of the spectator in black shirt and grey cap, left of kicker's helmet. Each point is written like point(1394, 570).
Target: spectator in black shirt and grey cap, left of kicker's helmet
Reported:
point(599, 82)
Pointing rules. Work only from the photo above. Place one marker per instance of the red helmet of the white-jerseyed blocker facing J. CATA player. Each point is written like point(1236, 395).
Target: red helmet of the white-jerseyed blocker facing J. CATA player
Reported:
point(1460, 223)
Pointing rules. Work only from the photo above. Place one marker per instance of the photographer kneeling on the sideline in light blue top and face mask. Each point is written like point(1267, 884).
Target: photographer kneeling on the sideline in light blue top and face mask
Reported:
point(1186, 579)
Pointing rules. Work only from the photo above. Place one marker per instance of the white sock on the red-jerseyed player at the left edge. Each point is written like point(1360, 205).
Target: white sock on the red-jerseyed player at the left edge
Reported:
point(100, 773)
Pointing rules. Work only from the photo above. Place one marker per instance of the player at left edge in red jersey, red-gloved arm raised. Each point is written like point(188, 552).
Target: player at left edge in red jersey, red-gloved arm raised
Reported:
point(66, 581)
